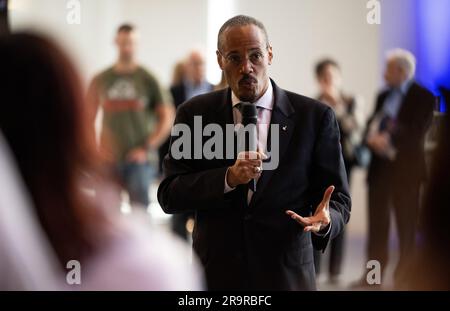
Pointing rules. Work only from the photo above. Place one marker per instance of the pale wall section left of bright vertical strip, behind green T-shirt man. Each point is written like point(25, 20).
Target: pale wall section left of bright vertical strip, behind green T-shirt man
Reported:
point(168, 29)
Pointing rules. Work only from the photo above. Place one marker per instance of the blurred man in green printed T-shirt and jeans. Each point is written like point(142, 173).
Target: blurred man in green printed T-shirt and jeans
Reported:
point(137, 117)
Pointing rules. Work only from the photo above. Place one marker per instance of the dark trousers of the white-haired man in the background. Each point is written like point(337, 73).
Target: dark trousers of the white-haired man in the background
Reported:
point(387, 194)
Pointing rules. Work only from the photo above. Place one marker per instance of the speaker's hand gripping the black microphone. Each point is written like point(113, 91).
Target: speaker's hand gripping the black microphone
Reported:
point(247, 167)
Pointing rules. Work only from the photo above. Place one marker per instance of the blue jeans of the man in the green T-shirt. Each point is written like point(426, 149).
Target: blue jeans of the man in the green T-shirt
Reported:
point(136, 179)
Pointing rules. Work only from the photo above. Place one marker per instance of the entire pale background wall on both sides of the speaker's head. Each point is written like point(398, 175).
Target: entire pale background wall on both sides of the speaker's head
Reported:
point(301, 32)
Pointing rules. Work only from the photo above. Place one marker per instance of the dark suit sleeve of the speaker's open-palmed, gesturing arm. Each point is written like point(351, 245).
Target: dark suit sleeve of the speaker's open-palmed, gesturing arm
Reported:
point(328, 169)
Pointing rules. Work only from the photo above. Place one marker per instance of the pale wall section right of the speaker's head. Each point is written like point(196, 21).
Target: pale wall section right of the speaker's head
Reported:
point(303, 31)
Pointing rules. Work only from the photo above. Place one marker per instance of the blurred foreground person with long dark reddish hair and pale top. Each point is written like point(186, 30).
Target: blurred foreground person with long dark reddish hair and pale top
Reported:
point(46, 125)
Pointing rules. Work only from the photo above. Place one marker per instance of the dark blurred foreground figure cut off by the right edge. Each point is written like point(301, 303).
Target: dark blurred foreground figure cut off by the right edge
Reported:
point(429, 269)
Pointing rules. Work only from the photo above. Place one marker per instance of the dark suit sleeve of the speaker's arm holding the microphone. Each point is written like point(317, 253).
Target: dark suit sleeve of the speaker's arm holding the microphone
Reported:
point(188, 186)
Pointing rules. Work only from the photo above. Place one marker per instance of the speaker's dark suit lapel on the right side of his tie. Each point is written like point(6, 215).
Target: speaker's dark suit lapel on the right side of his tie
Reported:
point(280, 116)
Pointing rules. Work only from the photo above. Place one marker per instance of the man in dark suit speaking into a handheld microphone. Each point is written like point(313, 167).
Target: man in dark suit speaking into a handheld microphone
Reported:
point(260, 240)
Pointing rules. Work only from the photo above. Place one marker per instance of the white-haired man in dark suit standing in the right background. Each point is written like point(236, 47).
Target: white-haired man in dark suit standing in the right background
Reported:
point(395, 135)
